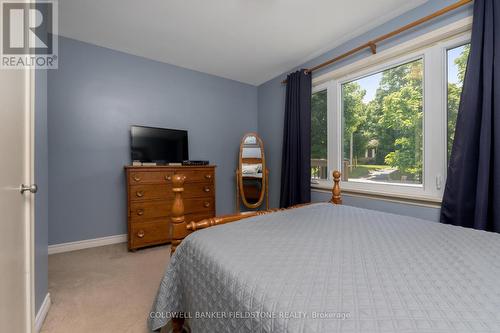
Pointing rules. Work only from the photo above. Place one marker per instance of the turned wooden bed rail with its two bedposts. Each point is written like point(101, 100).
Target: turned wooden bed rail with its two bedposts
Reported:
point(182, 228)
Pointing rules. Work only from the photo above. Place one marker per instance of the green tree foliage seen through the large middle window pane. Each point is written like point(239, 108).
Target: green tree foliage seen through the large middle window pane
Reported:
point(393, 119)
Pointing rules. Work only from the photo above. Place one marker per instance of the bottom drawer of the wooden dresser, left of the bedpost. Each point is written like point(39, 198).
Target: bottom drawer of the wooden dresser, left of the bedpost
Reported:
point(149, 233)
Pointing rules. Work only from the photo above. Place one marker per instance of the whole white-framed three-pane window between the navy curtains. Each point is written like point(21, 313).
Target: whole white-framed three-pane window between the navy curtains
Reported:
point(389, 124)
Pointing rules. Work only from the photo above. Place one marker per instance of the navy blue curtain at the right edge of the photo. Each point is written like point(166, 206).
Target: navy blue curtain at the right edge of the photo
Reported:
point(472, 193)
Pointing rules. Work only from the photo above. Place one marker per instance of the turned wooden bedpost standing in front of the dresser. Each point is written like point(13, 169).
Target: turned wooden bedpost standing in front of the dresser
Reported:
point(178, 226)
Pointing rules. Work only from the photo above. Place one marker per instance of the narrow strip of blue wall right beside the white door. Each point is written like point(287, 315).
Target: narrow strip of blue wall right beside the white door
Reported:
point(41, 198)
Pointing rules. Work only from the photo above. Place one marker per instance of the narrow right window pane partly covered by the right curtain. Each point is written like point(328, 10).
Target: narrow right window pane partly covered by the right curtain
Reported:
point(457, 63)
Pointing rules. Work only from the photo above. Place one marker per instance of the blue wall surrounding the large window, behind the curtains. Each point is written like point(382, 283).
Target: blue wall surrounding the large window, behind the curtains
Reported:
point(271, 94)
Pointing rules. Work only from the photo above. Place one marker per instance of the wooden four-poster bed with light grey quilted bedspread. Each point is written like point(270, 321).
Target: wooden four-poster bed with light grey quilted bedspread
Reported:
point(328, 268)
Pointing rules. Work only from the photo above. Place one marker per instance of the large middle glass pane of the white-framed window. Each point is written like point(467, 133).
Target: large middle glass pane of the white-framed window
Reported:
point(382, 126)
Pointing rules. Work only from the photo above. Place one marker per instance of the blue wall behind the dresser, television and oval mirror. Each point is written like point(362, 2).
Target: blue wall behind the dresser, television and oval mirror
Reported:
point(94, 97)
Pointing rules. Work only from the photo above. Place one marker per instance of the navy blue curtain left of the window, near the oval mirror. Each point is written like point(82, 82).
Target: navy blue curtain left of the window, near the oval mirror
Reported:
point(296, 157)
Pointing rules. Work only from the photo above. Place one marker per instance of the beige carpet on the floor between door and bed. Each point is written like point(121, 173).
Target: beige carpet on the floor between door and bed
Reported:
point(103, 289)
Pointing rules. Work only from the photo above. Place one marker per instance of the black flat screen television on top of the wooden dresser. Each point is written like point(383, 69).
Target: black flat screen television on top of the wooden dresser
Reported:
point(159, 145)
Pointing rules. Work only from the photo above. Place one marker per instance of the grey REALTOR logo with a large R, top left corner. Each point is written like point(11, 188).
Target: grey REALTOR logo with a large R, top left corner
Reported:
point(29, 34)
